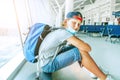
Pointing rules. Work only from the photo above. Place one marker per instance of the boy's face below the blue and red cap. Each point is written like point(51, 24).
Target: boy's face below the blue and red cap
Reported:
point(74, 24)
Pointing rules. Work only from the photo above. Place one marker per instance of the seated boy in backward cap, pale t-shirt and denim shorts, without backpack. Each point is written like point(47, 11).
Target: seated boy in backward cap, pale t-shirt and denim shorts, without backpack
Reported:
point(61, 48)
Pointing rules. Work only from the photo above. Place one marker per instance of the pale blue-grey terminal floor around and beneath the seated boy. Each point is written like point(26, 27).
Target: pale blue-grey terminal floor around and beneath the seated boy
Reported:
point(105, 54)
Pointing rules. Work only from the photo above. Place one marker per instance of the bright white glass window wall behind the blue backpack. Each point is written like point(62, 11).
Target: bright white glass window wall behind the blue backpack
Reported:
point(16, 18)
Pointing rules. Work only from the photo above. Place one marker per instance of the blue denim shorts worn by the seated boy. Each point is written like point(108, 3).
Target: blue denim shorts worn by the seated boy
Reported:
point(66, 57)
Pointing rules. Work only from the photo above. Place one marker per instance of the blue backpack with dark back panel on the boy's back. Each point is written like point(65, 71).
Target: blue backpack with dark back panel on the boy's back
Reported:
point(33, 41)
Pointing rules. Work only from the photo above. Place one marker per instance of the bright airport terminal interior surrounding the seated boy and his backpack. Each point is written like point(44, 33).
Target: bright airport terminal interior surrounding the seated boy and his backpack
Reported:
point(100, 29)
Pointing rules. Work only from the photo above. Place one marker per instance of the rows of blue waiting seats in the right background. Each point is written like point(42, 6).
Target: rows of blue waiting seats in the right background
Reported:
point(110, 31)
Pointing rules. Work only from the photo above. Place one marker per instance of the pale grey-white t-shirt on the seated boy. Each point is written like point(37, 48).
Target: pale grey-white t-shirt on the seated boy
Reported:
point(50, 44)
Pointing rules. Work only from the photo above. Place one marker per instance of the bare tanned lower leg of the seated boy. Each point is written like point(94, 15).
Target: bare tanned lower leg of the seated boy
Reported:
point(90, 65)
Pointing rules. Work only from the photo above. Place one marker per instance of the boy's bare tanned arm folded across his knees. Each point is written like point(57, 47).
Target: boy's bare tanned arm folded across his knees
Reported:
point(81, 45)
